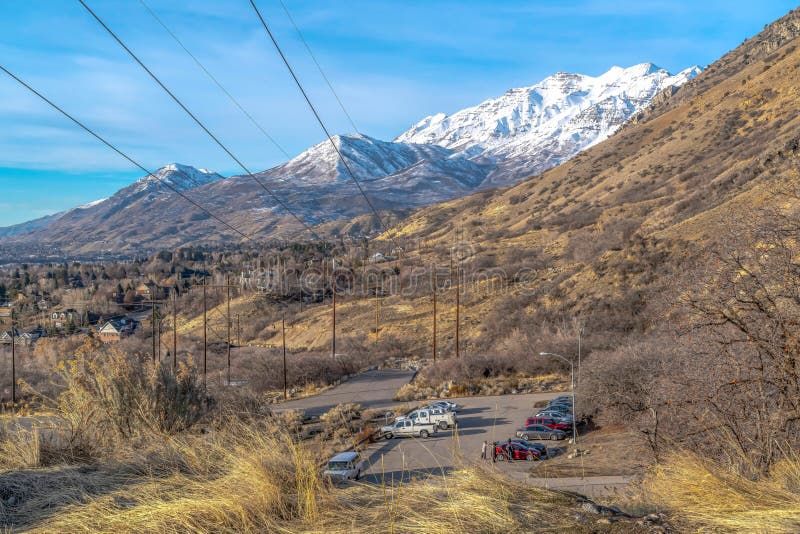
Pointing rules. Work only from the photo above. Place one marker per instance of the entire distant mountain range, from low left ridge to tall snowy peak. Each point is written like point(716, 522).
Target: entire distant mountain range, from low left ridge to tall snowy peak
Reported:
point(497, 142)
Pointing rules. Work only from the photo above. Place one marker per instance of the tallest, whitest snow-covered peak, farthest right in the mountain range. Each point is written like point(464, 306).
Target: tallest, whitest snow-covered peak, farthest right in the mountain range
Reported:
point(528, 130)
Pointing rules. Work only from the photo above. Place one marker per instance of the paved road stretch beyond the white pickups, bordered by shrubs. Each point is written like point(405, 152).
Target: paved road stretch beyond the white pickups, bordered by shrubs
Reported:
point(373, 389)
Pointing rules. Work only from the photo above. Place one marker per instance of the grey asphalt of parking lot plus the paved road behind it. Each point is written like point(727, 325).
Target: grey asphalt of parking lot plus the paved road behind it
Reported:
point(491, 418)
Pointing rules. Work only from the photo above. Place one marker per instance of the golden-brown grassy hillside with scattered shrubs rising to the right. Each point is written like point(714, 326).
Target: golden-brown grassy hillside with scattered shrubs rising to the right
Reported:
point(603, 234)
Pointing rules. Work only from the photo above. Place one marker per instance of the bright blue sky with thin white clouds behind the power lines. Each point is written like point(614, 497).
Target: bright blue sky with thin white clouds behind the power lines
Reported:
point(391, 62)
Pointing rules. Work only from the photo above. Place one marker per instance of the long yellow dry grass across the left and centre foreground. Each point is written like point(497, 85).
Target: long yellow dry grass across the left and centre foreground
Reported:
point(245, 479)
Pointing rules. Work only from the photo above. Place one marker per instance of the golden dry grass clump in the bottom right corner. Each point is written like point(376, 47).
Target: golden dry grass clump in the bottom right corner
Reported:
point(708, 497)
